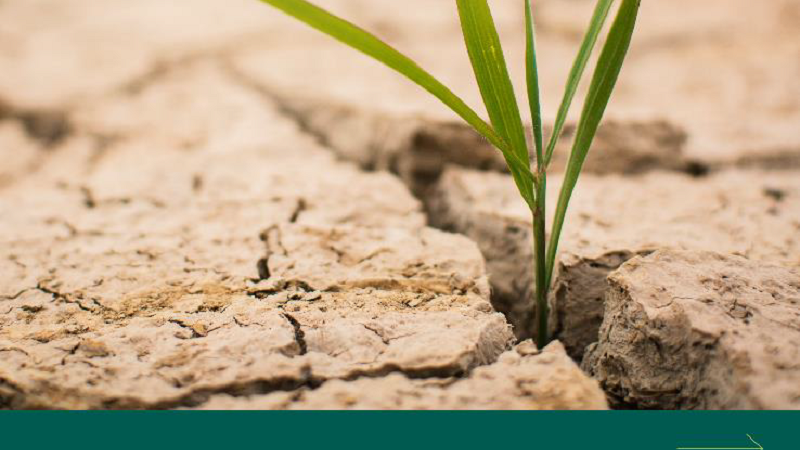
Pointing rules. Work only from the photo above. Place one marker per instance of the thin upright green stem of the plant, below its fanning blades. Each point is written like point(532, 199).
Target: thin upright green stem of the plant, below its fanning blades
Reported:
point(540, 261)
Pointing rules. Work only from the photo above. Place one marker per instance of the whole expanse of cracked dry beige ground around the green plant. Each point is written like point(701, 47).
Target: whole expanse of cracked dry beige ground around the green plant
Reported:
point(204, 204)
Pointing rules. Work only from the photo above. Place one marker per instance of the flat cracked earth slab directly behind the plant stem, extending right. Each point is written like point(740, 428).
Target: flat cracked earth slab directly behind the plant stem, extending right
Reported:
point(610, 220)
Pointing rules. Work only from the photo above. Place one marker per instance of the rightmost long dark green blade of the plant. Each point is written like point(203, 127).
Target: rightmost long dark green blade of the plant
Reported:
point(603, 82)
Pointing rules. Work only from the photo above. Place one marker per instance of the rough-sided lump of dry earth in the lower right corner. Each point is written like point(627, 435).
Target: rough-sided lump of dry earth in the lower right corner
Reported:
point(700, 330)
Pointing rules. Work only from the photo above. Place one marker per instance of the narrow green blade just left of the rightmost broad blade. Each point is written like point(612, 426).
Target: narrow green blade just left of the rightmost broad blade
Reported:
point(576, 73)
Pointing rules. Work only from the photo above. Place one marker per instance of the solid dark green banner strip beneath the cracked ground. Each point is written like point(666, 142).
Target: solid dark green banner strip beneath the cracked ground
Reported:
point(407, 430)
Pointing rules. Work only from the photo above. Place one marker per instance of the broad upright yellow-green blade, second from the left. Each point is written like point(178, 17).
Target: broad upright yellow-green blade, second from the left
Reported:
point(491, 73)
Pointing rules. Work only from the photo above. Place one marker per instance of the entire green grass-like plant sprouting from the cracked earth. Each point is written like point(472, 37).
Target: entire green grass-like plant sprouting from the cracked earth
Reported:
point(506, 131)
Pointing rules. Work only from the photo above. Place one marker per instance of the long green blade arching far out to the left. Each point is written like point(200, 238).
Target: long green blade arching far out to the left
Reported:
point(370, 45)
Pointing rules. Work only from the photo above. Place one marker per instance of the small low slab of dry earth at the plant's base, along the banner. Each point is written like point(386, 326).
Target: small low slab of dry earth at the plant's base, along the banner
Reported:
point(521, 379)
